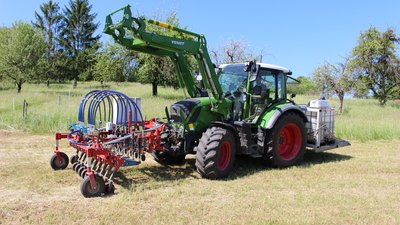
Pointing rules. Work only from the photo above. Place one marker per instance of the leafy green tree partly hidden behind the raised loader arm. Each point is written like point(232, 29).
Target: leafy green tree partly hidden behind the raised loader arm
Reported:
point(159, 70)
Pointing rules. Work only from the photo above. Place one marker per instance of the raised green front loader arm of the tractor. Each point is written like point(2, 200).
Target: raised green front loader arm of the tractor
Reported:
point(131, 32)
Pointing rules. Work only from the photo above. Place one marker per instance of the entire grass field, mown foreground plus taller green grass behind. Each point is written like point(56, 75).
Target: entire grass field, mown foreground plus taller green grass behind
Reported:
point(359, 184)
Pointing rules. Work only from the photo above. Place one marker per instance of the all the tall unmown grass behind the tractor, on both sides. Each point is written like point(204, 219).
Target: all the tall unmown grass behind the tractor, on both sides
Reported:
point(52, 109)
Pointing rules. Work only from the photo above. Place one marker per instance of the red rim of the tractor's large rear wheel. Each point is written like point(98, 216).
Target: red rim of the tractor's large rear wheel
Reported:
point(289, 141)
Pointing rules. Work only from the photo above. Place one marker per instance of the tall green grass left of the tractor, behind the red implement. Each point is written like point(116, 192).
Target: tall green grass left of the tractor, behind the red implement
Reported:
point(52, 109)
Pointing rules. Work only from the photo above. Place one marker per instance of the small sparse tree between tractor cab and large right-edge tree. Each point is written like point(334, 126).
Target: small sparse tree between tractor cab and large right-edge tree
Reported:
point(334, 79)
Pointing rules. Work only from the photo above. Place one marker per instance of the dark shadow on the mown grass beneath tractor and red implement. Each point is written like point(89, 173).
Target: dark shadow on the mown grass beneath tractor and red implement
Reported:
point(244, 166)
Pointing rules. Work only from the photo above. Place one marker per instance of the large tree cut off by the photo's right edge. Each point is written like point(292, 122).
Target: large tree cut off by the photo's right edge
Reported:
point(376, 62)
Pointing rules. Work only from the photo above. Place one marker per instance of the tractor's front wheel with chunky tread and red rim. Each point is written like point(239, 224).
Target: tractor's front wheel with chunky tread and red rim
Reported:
point(215, 154)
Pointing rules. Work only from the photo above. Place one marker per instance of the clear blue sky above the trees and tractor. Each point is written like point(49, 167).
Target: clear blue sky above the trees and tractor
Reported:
point(297, 34)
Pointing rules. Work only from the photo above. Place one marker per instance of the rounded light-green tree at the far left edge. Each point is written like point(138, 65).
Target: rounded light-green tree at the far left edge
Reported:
point(21, 49)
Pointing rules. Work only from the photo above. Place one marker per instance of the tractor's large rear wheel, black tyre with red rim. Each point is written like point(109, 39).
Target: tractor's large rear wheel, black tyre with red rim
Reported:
point(285, 143)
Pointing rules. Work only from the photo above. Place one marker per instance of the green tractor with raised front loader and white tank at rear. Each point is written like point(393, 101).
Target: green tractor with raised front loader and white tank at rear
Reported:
point(235, 109)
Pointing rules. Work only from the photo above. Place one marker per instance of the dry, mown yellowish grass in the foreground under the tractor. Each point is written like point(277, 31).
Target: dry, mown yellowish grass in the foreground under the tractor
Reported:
point(353, 185)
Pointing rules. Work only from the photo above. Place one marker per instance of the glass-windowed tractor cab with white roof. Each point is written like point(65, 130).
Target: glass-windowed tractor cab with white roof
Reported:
point(252, 91)
